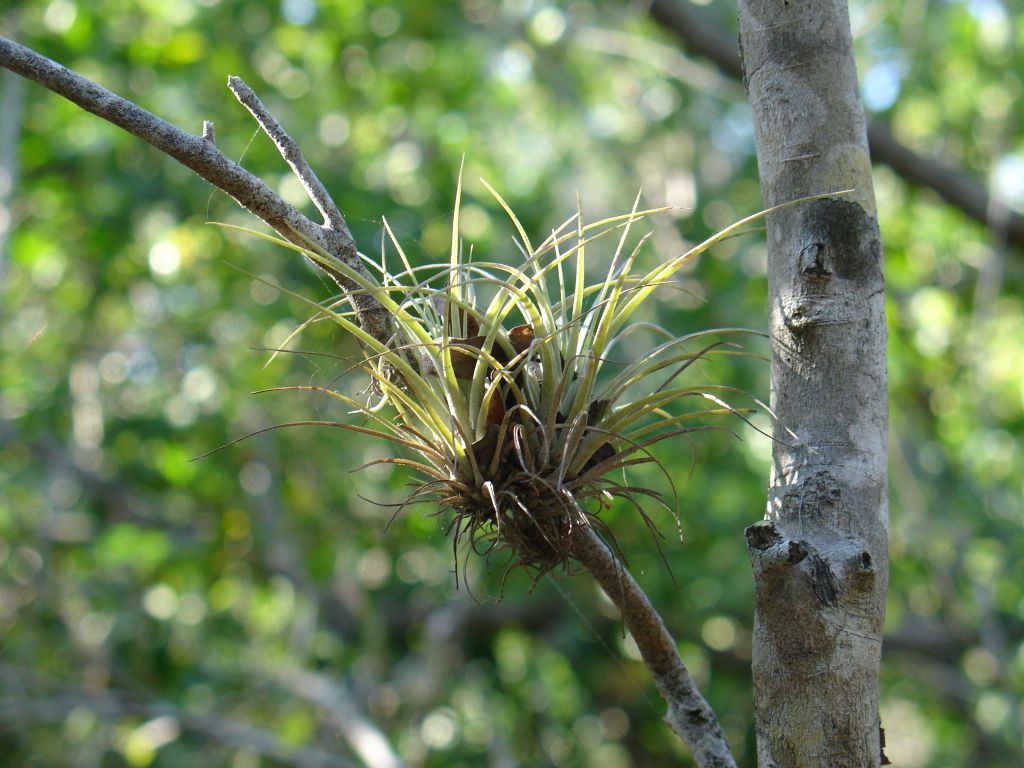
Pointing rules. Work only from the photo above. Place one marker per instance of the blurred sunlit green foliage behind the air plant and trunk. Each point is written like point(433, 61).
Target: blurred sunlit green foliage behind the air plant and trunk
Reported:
point(151, 606)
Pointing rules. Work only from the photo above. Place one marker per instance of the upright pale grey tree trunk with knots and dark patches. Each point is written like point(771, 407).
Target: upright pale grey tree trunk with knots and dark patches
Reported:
point(821, 557)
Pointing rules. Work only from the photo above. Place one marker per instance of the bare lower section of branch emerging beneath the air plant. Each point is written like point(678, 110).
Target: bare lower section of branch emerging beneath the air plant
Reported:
point(690, 715)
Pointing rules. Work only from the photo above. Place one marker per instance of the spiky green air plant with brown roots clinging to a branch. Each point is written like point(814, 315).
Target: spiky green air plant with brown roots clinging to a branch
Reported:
point(501, 389)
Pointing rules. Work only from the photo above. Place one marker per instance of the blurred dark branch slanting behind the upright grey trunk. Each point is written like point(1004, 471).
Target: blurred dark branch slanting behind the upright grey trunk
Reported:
point(954, 186)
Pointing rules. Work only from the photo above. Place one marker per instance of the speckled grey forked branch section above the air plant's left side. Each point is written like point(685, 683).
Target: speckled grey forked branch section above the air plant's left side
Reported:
point(201, 155)
